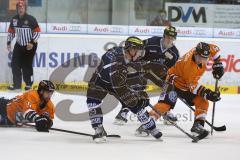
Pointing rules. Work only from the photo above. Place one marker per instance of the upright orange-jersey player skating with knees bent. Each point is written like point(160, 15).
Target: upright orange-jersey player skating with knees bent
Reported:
point(184, 76)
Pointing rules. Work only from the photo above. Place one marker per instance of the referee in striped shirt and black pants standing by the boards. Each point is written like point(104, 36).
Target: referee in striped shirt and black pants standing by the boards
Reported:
point(26, 30)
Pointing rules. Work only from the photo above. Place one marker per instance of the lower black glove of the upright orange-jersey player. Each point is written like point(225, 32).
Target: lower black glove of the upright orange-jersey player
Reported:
point(210, 95)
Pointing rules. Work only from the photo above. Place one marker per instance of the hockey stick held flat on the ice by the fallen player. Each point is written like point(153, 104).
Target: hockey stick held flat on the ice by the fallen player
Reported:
point(73, 132)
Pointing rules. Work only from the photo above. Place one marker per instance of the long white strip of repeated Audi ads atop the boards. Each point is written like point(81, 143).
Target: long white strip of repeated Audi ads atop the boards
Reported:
point(90, 29)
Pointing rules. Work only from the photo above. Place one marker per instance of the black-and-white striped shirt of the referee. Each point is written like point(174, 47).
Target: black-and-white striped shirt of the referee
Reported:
point(25, 29)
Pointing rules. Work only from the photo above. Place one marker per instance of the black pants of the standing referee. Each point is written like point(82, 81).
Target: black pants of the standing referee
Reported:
point(22, 60)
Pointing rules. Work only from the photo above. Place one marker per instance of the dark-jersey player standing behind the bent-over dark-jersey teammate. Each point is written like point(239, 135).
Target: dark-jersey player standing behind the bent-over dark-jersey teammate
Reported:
point(159, 50)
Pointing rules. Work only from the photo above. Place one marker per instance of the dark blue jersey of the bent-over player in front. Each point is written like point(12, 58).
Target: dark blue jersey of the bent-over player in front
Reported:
point(111, 74)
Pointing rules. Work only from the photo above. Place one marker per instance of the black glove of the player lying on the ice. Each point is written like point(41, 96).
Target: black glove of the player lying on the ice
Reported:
point(42, 124)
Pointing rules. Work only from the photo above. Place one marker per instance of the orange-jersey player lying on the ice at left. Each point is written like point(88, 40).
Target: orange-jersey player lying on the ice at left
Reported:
point(32, 106)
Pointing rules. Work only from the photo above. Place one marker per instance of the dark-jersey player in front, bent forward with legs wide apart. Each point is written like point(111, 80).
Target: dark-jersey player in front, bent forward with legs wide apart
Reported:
point(110, 77)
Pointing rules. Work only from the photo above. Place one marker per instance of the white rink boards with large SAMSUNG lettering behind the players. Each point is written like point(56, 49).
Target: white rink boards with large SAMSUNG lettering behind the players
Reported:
point(70, 59)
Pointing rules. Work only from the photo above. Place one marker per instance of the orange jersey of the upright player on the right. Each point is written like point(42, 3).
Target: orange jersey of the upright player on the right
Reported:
point(186, 72)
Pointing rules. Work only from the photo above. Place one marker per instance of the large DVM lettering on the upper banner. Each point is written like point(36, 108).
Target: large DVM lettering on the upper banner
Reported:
point(177, 13)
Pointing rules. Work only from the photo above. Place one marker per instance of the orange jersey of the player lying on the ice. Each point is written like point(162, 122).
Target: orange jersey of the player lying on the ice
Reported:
point(24, 103)
